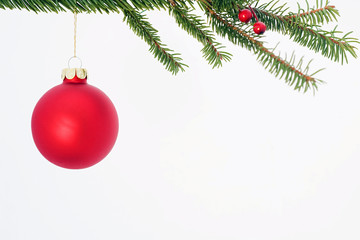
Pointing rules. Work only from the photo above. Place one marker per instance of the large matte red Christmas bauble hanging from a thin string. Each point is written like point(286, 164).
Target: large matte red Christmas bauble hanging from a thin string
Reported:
point(74, 125)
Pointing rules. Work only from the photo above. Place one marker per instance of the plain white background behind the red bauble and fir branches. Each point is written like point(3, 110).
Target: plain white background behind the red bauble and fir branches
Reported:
point(224, 154)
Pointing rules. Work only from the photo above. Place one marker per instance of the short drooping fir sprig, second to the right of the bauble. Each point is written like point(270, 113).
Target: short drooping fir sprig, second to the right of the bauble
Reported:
point(196, 27)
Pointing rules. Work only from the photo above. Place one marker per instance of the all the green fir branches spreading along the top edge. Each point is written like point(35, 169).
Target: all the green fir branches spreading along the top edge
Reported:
point(302, 26)
